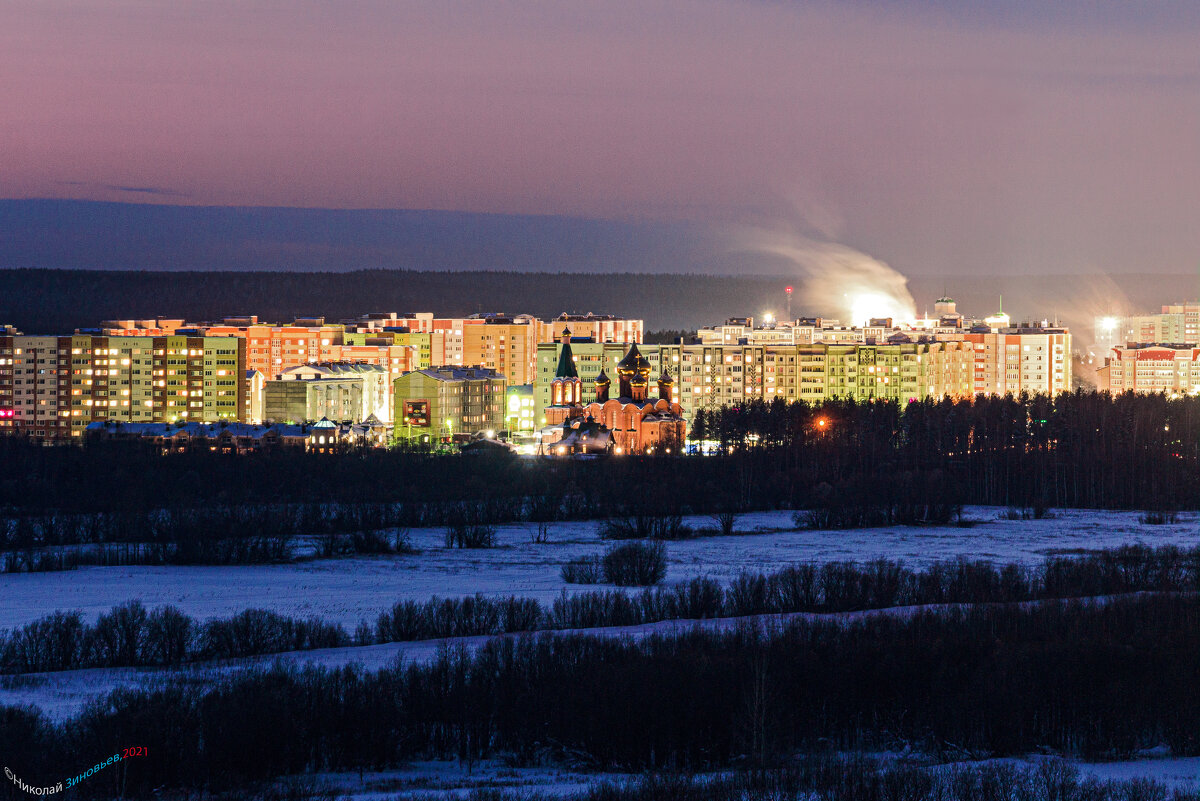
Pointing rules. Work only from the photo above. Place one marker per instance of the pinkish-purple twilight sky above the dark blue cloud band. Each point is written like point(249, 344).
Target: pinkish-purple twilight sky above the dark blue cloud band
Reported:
point(941, 137)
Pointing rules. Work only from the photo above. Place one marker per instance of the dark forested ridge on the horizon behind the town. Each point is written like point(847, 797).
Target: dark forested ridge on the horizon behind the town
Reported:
point(56, 302)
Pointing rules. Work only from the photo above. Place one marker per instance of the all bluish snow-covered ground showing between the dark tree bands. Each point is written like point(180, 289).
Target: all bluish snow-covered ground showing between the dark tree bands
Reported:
point(352, 589)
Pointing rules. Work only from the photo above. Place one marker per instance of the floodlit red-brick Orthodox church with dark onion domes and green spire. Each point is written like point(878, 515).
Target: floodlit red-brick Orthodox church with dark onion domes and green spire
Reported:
point(633, 421)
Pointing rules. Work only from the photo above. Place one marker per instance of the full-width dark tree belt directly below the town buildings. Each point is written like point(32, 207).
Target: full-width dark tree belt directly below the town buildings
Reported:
point(902, 463)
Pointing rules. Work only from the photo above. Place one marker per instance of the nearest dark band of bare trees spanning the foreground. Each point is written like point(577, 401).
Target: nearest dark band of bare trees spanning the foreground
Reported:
point(1076, 678)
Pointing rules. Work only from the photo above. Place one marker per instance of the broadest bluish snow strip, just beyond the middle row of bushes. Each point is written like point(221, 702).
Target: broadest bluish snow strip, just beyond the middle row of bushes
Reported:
point(352, 589)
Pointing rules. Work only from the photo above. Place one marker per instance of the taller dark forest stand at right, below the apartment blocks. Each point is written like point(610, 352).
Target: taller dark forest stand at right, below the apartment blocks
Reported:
point(1083, 449)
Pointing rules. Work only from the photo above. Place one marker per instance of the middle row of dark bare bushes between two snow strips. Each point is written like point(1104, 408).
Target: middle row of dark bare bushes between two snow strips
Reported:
point(131, 636)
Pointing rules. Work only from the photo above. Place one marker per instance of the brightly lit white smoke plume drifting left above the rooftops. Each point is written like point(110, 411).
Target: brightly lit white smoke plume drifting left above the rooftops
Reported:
point(837, 278)
